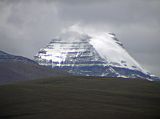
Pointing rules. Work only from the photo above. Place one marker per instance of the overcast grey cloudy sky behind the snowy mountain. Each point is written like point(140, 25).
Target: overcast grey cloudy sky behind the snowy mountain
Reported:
point(28, 25)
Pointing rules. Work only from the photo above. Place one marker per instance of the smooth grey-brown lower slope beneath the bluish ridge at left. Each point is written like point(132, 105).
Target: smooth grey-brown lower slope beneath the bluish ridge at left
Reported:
point(19, 71)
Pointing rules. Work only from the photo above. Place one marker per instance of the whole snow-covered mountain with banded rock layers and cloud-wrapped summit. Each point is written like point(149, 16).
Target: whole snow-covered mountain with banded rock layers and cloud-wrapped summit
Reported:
point(90, 54)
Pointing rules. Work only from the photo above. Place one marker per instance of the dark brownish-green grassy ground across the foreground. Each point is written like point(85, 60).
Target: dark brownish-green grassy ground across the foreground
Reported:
point(80, 98)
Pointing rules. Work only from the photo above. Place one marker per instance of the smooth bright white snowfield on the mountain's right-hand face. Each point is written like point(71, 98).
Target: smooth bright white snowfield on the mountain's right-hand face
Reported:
point(113, 51)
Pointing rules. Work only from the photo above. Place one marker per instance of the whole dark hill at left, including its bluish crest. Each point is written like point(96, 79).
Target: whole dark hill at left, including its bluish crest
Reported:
point(17, 68)
